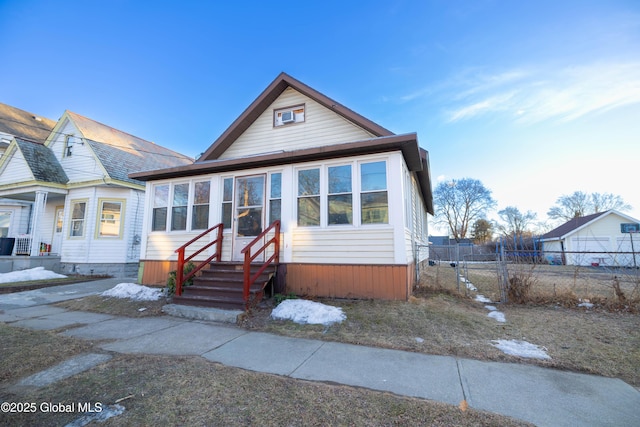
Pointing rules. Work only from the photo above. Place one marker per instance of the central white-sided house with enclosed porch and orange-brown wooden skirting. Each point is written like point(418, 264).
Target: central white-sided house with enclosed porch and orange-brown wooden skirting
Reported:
point(350, 196)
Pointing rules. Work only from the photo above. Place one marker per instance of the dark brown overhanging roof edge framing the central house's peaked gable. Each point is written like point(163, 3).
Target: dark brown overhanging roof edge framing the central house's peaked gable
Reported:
point(267, 97)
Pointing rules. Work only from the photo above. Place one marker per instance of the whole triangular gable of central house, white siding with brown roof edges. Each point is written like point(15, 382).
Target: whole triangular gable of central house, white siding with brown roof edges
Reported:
point(285, 91)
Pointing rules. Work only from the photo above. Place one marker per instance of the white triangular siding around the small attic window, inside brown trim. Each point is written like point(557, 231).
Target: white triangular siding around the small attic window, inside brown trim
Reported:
point(321, 127)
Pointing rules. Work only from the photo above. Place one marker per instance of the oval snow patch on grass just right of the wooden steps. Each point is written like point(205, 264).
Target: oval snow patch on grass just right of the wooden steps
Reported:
point(308, 312)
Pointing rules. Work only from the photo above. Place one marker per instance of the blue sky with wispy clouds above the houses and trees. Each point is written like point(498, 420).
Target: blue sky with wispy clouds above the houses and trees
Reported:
point(536, 99)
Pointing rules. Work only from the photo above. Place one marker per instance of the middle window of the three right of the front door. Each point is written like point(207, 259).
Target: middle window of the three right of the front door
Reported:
point(339, 198)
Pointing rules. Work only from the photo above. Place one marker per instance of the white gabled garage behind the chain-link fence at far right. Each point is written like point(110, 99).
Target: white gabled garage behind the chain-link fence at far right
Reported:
point(598, 239)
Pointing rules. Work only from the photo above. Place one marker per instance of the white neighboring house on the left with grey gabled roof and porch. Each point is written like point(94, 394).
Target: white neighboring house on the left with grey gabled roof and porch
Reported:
point(79, 210)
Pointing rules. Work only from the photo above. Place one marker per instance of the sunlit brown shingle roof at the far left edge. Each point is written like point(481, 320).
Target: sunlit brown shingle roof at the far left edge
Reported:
point(23, 124)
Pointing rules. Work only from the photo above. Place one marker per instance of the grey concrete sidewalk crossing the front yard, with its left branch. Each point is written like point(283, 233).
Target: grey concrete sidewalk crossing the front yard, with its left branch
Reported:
point(544, 397)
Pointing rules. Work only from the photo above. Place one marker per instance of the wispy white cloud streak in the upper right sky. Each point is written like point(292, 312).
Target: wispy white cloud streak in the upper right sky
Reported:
point(546, 94)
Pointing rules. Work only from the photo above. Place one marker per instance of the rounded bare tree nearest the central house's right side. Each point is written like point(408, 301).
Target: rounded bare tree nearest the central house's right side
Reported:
point(459, 203)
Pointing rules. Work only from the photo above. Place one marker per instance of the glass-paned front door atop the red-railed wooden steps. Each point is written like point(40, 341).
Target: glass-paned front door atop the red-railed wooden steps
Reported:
point(248, 213)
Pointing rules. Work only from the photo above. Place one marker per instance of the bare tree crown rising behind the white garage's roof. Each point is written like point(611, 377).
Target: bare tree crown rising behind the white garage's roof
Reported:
point(580, 204)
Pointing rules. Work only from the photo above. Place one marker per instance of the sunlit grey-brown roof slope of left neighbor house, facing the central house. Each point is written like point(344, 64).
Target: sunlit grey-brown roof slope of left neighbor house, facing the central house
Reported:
point(121, 153)
